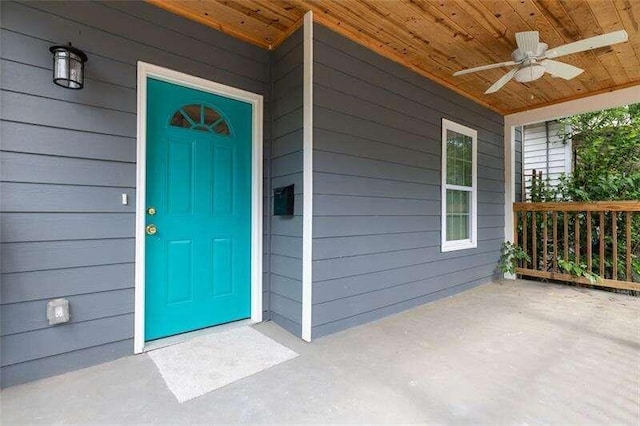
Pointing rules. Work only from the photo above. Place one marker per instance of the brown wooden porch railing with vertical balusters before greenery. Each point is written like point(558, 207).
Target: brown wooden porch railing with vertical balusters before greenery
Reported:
point(605, 241)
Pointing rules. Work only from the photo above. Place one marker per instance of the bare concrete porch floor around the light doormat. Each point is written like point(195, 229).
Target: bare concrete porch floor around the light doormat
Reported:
point(512, 352)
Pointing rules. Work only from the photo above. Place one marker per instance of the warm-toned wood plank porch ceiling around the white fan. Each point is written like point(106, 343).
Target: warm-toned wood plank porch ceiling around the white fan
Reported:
point(437, 37)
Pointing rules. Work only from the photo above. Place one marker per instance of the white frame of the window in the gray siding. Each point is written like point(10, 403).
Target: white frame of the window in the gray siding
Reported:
point(473, 241)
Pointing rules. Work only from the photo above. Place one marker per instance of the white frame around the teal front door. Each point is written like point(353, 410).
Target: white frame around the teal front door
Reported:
point(146, 70)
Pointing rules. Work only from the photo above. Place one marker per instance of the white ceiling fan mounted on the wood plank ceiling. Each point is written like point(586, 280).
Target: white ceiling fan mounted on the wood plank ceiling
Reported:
point(533, 58)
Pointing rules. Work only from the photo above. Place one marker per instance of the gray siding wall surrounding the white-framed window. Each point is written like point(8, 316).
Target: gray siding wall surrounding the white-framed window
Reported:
point(377, 198)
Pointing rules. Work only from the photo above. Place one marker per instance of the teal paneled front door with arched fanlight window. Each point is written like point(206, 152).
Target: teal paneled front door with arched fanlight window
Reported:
point(198, 210)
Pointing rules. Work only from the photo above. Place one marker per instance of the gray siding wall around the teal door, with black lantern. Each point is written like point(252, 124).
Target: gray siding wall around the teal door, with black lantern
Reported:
point(68, 156)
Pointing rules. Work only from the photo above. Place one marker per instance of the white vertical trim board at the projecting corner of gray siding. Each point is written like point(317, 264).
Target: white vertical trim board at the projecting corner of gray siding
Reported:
point(307, 213)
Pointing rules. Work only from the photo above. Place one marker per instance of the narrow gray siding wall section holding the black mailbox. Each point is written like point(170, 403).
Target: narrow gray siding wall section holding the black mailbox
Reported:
point(286, 169)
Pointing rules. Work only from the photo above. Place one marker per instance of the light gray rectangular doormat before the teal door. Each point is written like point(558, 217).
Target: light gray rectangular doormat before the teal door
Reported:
point(209, 362)
